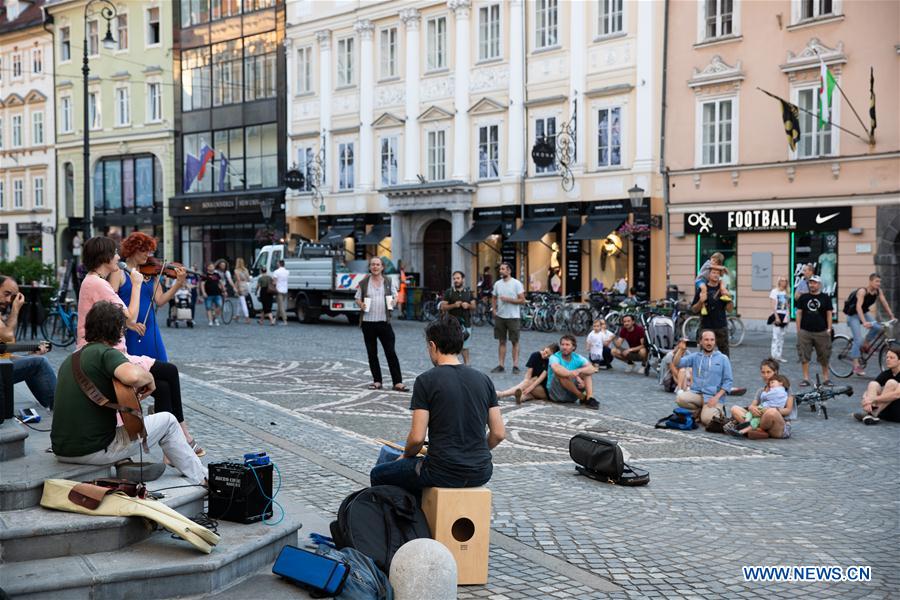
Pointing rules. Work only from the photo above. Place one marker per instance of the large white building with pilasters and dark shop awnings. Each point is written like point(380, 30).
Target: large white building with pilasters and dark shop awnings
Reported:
point(422, 115)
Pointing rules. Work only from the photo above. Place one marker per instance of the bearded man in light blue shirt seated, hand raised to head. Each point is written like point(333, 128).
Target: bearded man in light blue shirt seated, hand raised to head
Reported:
point(712, 379)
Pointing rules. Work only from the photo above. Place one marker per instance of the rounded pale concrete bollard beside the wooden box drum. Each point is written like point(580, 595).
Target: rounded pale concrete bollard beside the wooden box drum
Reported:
point(423, 568)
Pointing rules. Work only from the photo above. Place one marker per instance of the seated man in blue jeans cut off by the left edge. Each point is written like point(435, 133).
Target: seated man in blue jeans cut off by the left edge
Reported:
point(34, 370)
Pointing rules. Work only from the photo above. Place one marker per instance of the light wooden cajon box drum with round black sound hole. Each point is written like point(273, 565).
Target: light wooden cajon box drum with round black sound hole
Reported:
point(460, 519)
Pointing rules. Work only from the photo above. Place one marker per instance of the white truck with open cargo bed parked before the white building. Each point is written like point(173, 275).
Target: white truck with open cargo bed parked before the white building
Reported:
point(321, 281)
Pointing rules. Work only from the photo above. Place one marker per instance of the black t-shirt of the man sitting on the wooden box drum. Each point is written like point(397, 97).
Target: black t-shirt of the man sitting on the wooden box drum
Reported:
point(457, 399)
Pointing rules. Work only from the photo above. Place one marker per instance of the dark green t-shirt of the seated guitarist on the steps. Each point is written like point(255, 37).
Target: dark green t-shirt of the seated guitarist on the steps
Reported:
point(81, 427)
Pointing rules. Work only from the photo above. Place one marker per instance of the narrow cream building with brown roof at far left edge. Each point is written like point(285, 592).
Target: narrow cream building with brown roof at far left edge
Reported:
point(27, 182)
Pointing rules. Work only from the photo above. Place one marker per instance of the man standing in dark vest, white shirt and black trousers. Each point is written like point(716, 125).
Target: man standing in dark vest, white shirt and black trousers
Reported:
point(375, 298)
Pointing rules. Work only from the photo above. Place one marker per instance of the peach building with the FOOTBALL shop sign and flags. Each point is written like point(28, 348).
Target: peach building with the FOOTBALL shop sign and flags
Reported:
point(736, 186)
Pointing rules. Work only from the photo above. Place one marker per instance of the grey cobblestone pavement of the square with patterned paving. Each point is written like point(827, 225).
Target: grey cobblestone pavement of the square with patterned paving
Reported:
point(828, 496)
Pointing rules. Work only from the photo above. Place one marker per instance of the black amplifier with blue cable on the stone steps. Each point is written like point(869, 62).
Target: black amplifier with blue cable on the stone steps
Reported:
point(235, 494)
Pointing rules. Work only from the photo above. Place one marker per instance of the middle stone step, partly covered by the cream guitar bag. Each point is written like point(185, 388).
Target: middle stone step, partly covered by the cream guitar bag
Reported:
point(37, 533)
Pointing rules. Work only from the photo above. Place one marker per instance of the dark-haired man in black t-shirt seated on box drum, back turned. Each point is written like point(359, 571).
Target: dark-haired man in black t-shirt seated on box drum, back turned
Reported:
point(452, 404)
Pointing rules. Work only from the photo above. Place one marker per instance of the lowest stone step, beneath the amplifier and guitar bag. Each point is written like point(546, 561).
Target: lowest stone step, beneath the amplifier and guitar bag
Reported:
point(158, 567)
